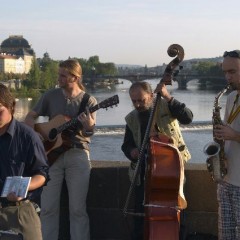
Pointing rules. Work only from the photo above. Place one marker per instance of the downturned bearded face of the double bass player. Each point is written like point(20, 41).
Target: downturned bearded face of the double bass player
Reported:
point(141, 100)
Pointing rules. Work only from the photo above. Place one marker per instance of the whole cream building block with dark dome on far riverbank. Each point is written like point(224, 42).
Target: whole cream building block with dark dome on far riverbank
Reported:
point(16, 55)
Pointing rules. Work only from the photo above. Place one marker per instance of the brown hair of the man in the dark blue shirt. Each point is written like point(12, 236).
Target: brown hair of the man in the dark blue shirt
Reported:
point(6, 98)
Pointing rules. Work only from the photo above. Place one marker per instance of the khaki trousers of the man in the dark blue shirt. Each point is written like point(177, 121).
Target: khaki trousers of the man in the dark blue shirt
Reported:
point(21, 219)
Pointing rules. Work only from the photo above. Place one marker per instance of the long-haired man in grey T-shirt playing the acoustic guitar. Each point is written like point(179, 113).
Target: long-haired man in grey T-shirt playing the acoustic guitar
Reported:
point(72, 164)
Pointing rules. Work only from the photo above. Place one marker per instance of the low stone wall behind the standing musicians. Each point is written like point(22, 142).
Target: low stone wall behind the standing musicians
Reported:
point(108, 190)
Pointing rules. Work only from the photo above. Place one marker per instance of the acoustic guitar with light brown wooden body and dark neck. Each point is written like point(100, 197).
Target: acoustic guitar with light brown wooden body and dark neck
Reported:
point(51, 132)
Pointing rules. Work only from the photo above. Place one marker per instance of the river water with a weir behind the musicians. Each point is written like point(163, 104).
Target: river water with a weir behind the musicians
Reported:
point(107, 141)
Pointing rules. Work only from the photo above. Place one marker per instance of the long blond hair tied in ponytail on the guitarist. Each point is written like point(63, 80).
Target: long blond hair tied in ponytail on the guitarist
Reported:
point(73, 67)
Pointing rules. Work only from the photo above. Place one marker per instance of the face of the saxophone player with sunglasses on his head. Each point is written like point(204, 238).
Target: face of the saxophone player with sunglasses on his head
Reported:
point(231, 69)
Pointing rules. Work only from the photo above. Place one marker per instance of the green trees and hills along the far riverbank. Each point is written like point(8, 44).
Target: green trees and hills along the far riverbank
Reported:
point(44, 72)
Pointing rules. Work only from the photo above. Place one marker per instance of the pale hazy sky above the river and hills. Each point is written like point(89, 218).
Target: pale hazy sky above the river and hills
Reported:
point(135, 32)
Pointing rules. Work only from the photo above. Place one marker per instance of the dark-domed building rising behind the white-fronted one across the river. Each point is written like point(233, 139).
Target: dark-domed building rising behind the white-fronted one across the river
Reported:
point(18, 46)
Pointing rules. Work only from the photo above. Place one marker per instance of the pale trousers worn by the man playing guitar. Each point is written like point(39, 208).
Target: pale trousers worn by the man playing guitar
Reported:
point(73, 165)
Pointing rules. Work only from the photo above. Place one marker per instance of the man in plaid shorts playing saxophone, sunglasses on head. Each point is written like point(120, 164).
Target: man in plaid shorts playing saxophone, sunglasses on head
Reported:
point(228, 192)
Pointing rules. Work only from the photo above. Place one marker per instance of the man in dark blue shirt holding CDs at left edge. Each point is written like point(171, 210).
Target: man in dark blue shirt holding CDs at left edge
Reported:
point(21, 154)
